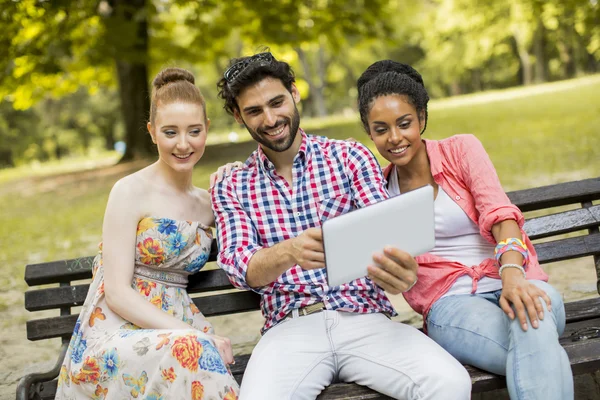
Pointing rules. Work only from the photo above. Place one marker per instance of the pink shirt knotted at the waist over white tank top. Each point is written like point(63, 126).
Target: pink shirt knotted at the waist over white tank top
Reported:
point(461, 166)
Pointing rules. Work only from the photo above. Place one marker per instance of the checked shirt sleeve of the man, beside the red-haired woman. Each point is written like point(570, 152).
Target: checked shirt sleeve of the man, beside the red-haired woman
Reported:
point(236, 234)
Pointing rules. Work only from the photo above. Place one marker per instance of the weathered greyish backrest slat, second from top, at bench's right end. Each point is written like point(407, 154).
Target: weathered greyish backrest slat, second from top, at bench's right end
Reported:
point(556, 224)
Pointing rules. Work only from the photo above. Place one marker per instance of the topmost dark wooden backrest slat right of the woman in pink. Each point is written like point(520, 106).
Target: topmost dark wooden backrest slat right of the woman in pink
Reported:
point(556, 195)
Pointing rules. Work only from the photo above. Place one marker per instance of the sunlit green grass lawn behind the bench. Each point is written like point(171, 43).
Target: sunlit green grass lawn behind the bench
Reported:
point(535, 136)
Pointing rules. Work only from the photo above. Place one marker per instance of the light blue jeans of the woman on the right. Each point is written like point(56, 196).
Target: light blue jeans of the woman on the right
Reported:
point(475, 330)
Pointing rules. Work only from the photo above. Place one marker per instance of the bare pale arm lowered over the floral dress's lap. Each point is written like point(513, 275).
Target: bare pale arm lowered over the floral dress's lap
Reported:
point(118, 253)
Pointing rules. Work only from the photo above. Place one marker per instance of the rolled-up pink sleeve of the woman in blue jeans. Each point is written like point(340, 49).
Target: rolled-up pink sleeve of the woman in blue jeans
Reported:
point(479, 174)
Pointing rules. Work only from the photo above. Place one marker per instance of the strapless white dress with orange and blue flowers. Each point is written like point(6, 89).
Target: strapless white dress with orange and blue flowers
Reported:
point(111, 358)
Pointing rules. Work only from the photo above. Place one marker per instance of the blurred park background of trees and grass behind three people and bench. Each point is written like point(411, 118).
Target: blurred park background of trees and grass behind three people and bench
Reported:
point(522, 75)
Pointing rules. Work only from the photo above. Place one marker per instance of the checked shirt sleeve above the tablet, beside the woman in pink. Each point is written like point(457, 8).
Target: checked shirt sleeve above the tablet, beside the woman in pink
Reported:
point(367, 182)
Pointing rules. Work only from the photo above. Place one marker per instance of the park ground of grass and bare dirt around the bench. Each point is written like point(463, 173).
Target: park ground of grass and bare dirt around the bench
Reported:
point(535, 136)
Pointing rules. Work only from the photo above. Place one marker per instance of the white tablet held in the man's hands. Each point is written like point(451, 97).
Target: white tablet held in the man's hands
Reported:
point(405, 221)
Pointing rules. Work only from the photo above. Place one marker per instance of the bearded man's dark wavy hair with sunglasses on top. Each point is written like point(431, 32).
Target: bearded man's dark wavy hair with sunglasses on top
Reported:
point(246, 71)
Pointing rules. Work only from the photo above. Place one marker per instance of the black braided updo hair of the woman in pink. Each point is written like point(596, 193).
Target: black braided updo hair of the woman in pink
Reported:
point(387, 77)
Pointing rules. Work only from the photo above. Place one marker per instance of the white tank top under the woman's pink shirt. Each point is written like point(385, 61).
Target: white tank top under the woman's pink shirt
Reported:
point(457, 238)
